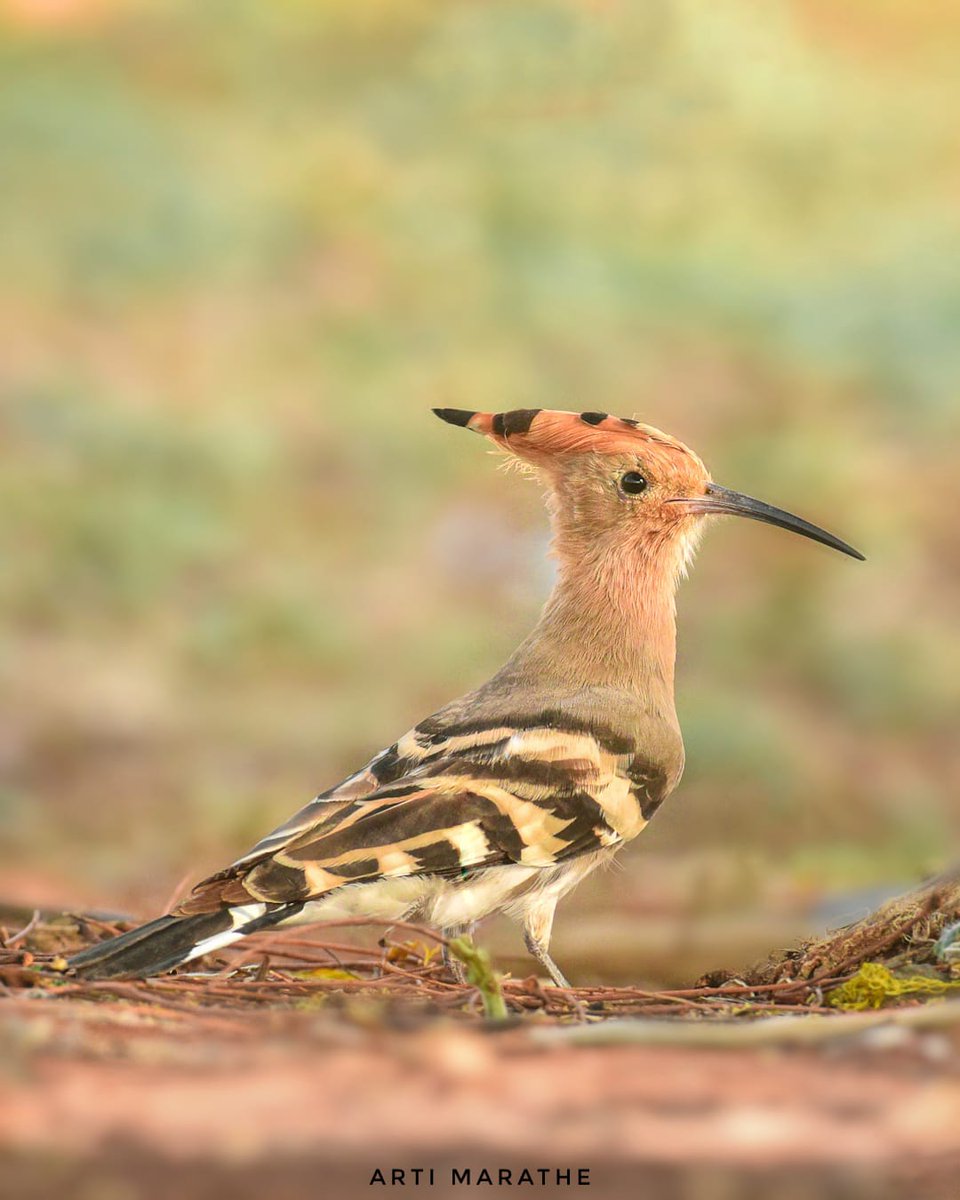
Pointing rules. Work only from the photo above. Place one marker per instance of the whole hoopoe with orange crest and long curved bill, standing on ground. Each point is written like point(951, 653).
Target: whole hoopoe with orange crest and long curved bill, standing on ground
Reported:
point(505, 800)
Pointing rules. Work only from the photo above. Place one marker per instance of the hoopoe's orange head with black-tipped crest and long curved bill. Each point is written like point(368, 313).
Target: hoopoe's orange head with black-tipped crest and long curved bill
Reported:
point(614, 478)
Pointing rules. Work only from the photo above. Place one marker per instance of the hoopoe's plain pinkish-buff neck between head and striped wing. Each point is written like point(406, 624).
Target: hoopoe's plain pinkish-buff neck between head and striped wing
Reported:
point(609, 623)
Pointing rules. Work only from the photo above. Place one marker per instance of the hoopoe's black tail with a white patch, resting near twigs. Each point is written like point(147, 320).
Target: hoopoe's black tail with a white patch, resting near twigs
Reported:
point(164, 944)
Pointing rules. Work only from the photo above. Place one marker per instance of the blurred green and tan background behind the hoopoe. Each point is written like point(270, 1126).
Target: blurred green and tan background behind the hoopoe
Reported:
point(245, 248)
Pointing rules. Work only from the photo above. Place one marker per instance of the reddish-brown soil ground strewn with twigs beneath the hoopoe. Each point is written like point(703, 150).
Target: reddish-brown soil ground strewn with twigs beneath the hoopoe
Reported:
point(229, 1088)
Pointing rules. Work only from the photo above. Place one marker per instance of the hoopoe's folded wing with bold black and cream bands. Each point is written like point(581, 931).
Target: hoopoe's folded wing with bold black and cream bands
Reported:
point(464, 799)
